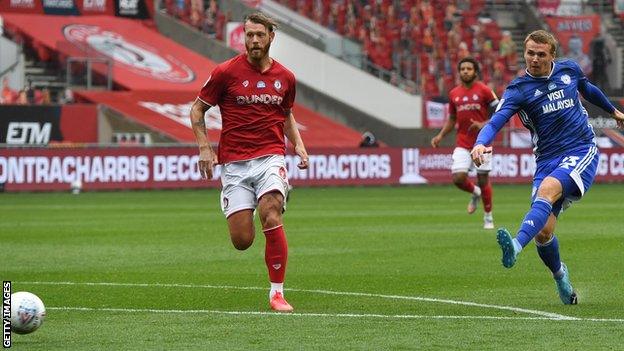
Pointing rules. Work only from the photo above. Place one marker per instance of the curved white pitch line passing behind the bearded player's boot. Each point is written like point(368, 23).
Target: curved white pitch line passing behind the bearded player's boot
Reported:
point(548, 315)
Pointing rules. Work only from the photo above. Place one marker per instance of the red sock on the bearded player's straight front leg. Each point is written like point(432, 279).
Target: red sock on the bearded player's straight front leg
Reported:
point(276, 253)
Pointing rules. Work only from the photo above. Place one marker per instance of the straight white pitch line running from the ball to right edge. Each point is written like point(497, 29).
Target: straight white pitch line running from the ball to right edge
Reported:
point(329, 315)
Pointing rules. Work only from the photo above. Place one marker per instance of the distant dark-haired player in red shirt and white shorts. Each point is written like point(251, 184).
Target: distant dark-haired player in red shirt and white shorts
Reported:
point(470, 107)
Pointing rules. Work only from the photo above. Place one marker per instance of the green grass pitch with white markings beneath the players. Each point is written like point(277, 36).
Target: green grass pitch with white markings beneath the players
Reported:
point(370, 268)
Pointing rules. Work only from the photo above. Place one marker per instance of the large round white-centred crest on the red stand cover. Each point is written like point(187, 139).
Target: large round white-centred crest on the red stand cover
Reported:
point(136, 56)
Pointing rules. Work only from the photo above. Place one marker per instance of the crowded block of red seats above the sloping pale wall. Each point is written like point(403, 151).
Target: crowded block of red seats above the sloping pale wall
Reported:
point(420, 40)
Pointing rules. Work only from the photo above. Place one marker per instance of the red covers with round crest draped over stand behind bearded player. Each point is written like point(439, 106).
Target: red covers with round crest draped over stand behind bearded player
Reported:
point(151, 86)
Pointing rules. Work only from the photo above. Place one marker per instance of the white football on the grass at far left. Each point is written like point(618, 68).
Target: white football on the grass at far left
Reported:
point(27, 312)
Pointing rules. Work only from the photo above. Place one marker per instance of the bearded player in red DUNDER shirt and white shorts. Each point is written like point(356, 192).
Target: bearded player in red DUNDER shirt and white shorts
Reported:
point(255, 94)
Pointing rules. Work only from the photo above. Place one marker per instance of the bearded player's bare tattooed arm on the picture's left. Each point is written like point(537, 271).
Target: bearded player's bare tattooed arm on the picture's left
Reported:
point(207, 156)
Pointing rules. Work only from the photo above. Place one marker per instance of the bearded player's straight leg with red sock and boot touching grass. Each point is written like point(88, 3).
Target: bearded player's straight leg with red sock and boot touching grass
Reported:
point(276, 249)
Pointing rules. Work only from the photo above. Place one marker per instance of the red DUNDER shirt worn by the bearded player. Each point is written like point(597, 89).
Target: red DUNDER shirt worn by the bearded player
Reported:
point(253, 107)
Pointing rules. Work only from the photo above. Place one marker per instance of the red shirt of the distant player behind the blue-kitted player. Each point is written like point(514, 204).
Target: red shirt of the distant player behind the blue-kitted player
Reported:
point(469, 104)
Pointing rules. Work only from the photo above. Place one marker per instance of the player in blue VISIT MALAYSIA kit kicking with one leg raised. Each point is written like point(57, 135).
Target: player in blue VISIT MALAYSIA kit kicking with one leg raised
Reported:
point(547, 101)
